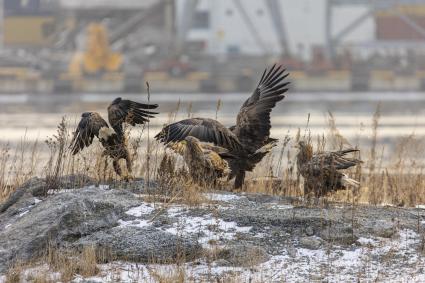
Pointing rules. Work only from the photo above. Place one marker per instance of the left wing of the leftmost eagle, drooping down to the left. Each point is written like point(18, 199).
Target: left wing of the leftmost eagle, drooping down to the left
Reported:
point(87, 129)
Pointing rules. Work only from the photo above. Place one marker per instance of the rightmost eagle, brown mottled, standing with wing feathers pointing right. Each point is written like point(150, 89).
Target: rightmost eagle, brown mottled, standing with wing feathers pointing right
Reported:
point(321, 171)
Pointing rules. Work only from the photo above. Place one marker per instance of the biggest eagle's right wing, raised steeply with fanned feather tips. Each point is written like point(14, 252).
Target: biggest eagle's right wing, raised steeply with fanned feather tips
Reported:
point(253, 121)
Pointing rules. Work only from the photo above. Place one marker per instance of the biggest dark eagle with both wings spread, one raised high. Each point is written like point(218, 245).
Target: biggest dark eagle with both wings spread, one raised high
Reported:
point(249, 140)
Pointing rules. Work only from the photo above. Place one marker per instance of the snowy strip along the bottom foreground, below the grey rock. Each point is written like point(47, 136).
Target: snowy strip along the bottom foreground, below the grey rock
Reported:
point(381, 261)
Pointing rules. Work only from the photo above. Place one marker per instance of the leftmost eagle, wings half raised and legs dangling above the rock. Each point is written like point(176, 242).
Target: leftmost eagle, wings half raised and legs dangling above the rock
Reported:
point(113, 140)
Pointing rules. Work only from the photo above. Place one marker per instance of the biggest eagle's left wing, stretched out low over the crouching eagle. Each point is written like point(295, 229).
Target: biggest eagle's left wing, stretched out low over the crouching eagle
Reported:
point(206, 130)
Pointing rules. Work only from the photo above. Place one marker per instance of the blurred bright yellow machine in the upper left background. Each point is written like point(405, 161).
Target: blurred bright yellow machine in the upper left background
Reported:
point(97, 56)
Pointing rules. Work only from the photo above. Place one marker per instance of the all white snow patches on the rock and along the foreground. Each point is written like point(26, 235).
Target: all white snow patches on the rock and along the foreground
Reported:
point(396, 259)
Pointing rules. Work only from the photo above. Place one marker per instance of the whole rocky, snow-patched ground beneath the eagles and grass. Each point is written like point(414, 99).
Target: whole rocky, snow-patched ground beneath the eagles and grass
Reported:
point(228, 237)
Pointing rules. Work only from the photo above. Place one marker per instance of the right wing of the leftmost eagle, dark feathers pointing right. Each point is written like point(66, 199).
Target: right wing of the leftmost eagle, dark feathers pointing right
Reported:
point(126, 111)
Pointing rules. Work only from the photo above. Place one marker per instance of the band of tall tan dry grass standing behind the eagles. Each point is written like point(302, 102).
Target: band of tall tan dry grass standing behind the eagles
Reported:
point(386, 177)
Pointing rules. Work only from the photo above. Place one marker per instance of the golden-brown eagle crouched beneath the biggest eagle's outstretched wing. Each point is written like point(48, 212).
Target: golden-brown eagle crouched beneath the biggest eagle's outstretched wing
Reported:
point(206, 162)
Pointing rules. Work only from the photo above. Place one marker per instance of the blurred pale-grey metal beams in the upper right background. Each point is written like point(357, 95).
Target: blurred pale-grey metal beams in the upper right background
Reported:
point(333, 41)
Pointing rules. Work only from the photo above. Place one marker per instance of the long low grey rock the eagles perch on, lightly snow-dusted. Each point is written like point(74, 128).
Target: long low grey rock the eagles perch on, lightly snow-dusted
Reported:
point(89, 216)
